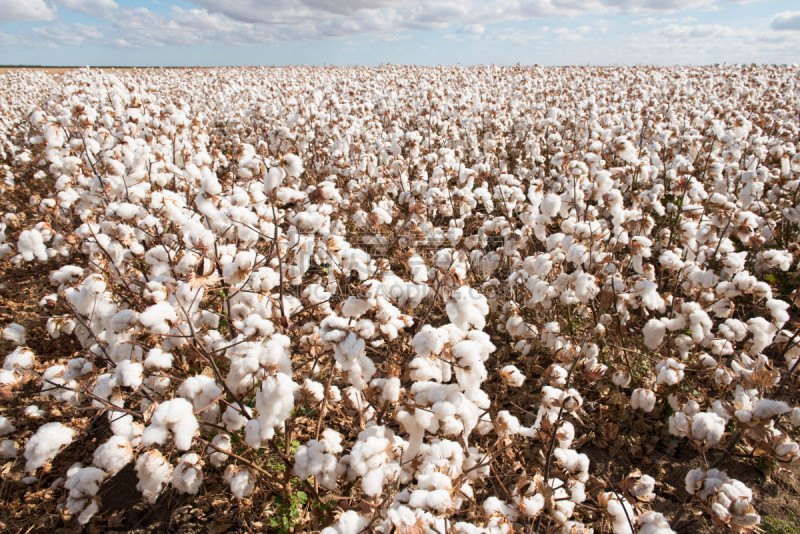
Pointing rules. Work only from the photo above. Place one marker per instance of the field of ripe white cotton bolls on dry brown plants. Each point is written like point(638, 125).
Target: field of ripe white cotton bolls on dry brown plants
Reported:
point(401, 299)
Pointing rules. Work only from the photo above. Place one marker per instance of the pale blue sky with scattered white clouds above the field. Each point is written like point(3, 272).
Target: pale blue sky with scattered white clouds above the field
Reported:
point(421, 32)
